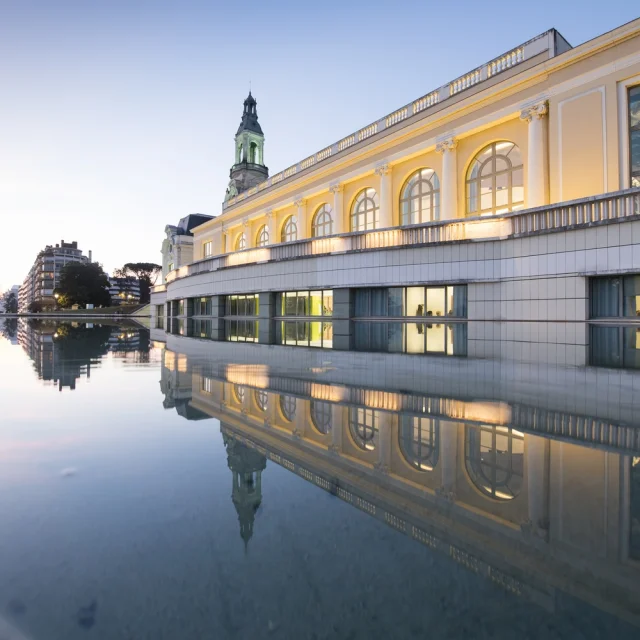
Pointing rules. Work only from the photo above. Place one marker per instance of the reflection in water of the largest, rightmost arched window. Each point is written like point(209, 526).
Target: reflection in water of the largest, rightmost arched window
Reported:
point(494, 458)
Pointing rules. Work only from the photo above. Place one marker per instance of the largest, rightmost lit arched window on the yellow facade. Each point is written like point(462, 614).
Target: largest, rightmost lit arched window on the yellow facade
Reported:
point(495, 180)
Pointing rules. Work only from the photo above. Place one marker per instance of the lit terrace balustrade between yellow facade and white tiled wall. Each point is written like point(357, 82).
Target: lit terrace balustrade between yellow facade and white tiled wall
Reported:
point(609, 207)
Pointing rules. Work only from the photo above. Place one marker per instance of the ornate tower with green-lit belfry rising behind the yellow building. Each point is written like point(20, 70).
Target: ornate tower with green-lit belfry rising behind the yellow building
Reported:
point(249, 168)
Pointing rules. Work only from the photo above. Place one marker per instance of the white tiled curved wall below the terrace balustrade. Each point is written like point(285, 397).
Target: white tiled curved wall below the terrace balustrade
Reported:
point(539, 277)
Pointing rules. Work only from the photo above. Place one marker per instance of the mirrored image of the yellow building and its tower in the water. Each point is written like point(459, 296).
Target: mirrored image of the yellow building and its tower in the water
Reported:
point(495, 485)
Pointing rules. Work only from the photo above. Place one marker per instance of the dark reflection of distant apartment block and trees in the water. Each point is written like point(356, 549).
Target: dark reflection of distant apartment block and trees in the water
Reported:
point(63, 352)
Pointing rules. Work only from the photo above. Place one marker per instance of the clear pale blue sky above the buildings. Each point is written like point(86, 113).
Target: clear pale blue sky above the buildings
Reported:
point(117, 116)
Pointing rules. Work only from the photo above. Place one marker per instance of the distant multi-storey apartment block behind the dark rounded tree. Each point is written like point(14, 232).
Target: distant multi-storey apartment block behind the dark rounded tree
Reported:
point(44, 275)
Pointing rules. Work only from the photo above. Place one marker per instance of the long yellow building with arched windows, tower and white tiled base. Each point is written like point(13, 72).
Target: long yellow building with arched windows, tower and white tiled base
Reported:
point(492, 197)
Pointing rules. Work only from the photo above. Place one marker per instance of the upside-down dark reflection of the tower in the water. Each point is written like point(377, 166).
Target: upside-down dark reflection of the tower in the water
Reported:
point(246, 467)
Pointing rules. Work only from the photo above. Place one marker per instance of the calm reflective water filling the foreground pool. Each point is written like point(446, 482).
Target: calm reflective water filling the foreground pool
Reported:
point(160, 486)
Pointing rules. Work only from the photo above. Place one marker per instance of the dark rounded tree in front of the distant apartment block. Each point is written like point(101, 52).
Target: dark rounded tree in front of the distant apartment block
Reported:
point(83, 283)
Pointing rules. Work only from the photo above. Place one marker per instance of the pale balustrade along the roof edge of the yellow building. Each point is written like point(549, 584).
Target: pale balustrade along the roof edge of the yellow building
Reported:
point(550, 42)
